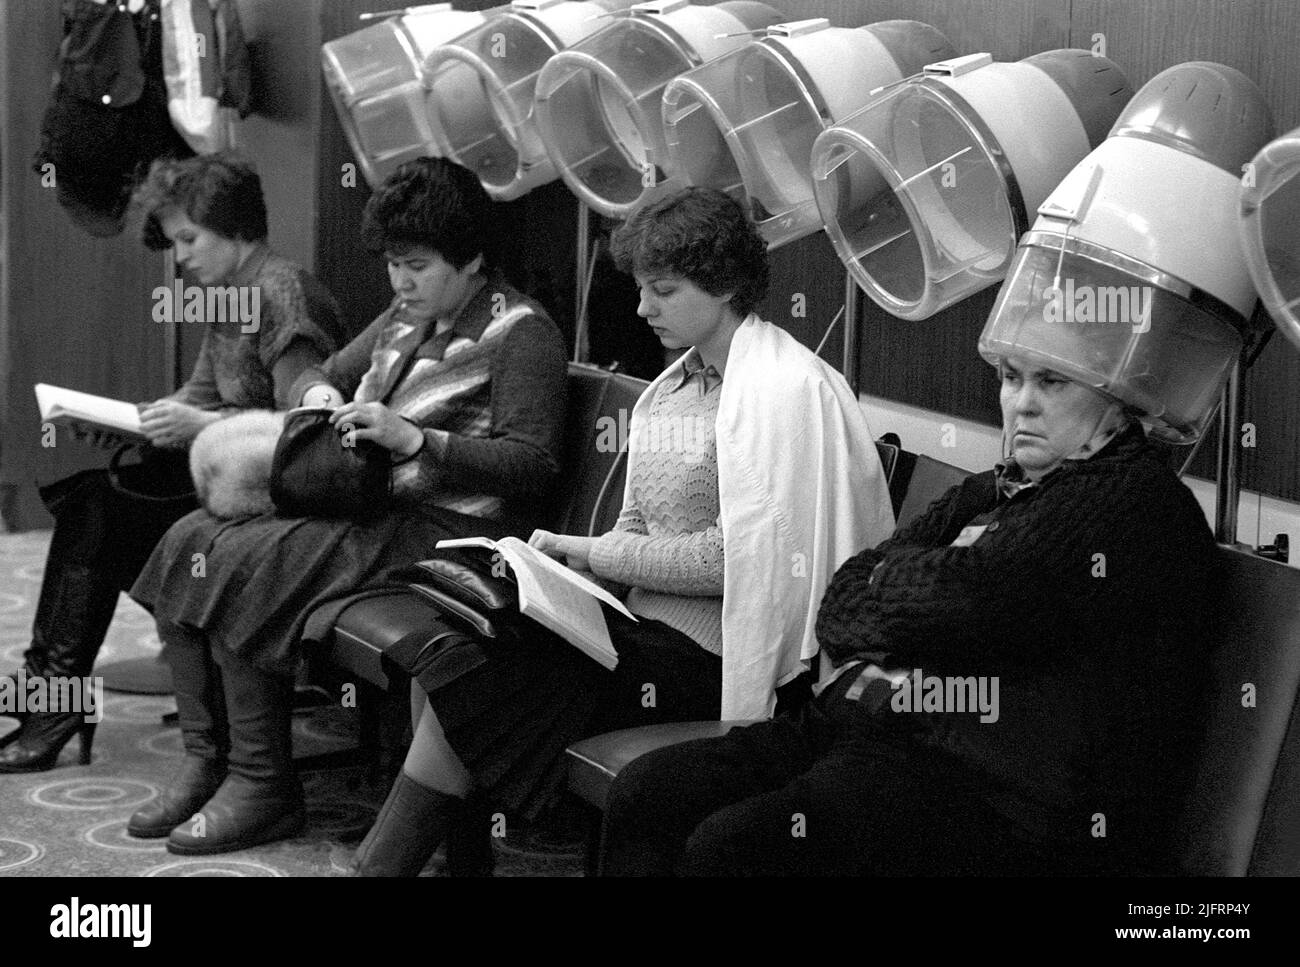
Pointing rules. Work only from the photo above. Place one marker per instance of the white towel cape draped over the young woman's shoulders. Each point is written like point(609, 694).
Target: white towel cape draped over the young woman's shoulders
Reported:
point(801, 491)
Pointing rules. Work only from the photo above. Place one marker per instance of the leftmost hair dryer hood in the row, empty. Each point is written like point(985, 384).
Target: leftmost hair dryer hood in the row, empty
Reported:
point(376, 80)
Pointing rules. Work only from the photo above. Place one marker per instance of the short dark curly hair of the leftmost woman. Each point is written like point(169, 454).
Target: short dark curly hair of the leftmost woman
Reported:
point(220, 193)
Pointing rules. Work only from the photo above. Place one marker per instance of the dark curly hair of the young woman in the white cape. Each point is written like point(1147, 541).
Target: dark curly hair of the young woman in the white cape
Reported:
point(704, 236)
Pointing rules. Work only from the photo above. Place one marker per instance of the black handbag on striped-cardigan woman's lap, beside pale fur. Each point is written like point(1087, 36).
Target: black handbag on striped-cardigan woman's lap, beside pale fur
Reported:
point(320, 472)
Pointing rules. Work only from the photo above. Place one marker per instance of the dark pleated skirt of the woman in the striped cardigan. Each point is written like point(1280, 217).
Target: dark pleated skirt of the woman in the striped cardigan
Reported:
point(252, 584)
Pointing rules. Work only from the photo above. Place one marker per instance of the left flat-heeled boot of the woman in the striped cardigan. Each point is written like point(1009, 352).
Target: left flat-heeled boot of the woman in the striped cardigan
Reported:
point(201, 706)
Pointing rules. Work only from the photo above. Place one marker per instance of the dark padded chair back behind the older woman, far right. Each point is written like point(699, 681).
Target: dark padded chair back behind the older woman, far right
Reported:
point(1243, 816)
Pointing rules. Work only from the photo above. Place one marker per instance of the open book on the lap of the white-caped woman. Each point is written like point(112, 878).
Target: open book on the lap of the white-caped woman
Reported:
point(557, 597)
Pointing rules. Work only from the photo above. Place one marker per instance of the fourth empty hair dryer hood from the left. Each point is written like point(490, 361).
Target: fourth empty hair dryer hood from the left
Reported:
point(747, 122)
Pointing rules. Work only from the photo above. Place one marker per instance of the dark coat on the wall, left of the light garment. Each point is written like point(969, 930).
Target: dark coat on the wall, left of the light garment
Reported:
point(109, 118)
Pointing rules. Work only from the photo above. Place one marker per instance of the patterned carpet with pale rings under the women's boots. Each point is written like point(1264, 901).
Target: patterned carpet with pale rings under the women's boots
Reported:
point(72, 819)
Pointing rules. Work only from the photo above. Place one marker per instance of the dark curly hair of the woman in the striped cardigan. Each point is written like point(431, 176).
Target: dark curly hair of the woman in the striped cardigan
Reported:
point(432, 203)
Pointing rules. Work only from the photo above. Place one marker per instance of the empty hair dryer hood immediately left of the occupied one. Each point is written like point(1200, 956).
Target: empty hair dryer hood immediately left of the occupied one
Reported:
point(926, 190)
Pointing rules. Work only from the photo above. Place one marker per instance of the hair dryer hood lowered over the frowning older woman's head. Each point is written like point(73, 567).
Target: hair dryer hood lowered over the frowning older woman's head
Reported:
point(1132, 280)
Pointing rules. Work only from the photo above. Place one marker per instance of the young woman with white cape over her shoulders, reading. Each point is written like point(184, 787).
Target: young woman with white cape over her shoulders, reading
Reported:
point(752, 476)
